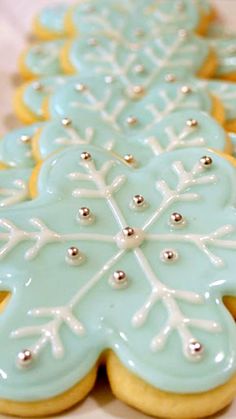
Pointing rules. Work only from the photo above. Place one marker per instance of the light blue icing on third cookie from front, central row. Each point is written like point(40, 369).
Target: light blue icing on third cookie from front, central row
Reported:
point(110, 103)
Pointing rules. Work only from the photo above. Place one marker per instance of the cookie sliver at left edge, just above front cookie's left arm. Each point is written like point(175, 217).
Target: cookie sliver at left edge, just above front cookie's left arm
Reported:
point(14, 187)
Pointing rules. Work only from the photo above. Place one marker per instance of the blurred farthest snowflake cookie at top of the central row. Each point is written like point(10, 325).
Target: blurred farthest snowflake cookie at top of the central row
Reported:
point(122, 19)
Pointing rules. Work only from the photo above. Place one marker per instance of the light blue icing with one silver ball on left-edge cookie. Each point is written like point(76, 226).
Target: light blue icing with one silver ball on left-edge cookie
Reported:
point(15, 147)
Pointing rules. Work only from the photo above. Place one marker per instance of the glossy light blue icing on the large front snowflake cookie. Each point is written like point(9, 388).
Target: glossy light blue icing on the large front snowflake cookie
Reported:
point(106, 313)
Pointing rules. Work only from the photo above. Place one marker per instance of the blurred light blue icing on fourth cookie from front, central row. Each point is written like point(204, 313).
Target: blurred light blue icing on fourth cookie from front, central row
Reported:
point(169, 52)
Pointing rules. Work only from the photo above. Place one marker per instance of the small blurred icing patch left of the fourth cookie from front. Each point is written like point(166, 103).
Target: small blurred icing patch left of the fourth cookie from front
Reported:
point(43, 59)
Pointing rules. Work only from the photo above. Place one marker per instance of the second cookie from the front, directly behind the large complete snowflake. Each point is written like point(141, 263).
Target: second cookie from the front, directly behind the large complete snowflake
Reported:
point(178, 130)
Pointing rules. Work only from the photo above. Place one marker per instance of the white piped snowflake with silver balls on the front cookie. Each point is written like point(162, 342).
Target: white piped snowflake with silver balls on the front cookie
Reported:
point(157, 223)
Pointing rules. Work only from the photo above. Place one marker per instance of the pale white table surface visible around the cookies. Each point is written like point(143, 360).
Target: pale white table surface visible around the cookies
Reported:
point(15, 20)
